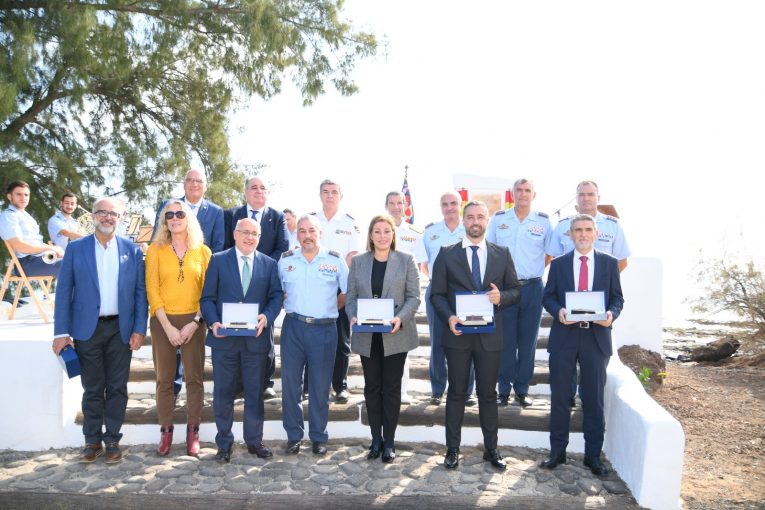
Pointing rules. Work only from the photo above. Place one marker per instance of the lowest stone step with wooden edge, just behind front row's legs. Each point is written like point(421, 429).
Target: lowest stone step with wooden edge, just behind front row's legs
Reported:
point(141, 410)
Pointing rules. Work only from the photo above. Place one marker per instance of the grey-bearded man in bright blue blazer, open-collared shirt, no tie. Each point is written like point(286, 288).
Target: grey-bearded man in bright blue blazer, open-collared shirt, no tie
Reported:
point(101, 310)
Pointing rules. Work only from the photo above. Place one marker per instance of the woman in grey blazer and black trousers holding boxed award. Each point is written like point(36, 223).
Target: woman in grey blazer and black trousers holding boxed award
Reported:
point(383, 272)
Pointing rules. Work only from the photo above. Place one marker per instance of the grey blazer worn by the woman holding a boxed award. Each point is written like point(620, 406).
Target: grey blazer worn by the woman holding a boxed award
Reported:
point(402, 284)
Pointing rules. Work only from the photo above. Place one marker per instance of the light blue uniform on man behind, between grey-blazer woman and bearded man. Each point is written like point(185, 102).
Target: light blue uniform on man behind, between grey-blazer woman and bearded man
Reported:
point(435, 236)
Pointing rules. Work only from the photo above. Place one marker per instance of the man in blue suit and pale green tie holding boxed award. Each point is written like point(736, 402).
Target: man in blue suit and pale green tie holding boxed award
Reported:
point(241, 275)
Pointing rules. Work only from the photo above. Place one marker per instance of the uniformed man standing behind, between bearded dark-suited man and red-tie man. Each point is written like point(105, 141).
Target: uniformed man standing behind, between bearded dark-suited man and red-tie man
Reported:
point(526, 233)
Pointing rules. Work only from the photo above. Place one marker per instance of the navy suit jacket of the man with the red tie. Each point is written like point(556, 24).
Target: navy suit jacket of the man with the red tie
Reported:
point(561, 280)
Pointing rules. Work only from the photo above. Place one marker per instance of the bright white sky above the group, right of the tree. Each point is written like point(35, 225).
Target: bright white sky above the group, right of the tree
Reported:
point(662, 103)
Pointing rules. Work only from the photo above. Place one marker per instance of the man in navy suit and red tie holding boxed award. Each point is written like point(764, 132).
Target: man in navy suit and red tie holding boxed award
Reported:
point(589, 343)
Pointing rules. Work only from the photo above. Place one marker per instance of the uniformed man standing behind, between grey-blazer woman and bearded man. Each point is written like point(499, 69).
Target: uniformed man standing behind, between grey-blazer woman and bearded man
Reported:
point(444, 233)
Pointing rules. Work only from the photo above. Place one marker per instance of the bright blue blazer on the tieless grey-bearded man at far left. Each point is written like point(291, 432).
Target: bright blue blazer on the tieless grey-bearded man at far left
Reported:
point(78, 298)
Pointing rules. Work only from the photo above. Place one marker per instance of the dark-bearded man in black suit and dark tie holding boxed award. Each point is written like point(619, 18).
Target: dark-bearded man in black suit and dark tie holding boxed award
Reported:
point(474, 265)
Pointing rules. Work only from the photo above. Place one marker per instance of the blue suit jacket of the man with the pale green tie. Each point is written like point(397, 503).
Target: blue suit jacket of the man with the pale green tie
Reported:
point(223, 284)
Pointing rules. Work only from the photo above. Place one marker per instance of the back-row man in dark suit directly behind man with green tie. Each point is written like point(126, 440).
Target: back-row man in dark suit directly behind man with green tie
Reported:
point(274, 240)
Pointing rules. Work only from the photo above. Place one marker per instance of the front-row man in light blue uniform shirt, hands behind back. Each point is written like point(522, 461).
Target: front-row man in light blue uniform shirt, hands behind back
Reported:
point(314, 280)
